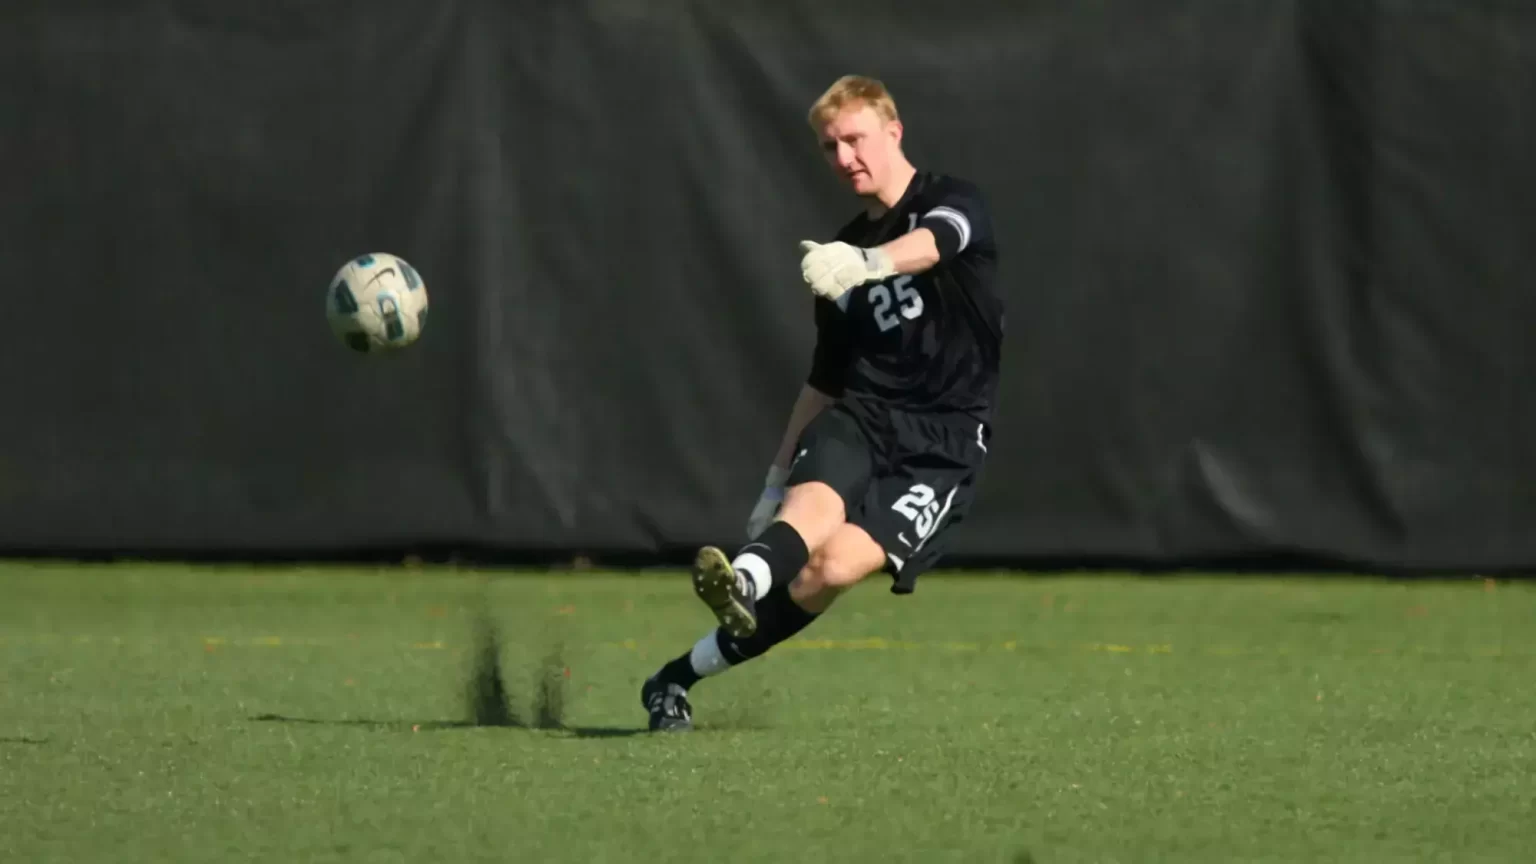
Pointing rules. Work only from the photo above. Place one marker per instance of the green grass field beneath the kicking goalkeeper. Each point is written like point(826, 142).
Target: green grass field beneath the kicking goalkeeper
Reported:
point(204, 714)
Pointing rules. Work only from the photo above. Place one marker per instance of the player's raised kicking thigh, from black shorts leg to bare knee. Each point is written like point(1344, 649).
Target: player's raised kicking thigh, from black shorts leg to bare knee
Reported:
point(829, 479)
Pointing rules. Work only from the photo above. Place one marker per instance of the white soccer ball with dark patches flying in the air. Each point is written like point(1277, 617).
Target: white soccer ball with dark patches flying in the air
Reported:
point(377, 302)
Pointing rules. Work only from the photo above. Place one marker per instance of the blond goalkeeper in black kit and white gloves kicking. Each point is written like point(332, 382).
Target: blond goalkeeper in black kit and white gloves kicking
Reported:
point(889, 436)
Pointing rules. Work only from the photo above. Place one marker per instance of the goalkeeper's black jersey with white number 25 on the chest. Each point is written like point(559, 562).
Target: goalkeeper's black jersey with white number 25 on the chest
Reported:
point(918, 344)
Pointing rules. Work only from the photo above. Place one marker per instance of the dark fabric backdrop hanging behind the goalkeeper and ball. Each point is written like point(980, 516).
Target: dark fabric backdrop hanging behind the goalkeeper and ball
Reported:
point(1268, 265)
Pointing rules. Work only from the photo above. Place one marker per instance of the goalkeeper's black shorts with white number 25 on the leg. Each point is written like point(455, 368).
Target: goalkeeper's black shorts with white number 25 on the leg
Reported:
point(905, 479)
